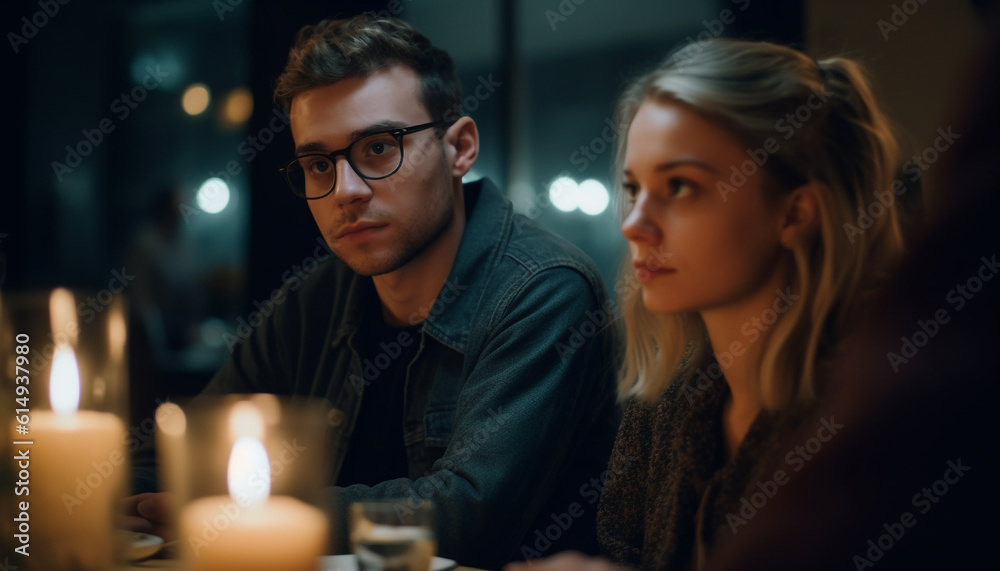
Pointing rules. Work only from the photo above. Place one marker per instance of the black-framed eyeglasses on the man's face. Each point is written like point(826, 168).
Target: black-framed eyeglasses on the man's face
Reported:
point(373, 157)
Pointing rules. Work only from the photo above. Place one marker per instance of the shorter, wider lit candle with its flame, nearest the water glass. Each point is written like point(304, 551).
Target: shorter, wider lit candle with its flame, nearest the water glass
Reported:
point(248, 529)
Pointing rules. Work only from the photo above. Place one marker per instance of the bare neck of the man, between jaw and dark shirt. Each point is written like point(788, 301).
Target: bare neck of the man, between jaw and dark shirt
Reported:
point(408, 293)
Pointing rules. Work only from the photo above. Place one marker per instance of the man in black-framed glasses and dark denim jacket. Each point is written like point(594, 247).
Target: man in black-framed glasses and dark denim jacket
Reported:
point(467, 353)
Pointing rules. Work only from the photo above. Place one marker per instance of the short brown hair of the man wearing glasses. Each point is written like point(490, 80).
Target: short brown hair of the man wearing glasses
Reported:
point(333, 50)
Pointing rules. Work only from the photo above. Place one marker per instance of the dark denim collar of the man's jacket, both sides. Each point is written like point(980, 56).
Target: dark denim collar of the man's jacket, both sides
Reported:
point(488, 218)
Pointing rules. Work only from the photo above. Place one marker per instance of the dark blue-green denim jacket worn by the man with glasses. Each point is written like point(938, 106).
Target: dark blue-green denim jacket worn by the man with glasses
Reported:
point(509, 410)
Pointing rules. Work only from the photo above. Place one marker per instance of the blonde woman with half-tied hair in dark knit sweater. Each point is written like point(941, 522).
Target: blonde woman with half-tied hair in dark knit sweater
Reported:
point(759, 205)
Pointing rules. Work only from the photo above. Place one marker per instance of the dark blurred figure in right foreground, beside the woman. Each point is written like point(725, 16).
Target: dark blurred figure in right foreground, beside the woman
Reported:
point(910, 481)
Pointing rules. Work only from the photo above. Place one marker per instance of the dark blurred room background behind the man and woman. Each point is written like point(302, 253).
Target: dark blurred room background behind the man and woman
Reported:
point(559, 63)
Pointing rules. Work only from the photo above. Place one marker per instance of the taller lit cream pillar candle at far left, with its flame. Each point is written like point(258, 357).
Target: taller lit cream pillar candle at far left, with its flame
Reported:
point(78, 468)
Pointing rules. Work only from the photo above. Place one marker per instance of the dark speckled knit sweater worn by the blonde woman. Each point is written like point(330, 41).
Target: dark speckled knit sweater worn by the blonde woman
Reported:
point(676, 497)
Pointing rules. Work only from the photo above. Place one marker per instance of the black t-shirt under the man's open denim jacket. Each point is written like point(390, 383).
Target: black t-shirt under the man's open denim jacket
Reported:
point(376, 451)
